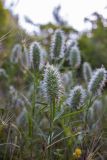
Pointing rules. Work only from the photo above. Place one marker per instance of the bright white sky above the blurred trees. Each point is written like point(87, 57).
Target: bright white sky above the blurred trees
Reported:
point(74, 11)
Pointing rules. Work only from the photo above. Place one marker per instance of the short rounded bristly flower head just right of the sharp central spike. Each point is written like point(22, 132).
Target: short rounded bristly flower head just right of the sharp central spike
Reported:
point(76, 97)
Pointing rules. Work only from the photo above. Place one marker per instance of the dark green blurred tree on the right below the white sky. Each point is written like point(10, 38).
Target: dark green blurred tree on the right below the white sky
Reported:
point(93, 43)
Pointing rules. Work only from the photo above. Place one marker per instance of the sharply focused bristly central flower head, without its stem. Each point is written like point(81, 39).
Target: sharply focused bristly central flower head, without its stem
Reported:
point(52, 84)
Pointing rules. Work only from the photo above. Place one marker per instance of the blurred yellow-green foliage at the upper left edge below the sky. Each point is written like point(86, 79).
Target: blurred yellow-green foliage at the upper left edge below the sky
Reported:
point(10, 32)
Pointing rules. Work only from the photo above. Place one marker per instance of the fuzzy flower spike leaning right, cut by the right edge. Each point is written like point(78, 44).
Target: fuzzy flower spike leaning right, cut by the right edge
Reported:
point(97, 81)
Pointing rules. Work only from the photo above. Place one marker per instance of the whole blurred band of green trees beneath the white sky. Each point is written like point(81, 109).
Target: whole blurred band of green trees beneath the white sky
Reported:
point(92, 43)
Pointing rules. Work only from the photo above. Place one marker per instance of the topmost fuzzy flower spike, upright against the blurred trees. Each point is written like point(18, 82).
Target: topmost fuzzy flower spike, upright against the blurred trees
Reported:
point(57, 45)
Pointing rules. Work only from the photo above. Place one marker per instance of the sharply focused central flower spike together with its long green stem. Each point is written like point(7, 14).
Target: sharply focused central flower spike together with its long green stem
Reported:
point(53, 91)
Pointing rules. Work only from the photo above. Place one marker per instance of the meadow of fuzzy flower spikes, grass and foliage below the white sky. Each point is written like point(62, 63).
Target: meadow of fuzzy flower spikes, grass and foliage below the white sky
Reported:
point(52, 99)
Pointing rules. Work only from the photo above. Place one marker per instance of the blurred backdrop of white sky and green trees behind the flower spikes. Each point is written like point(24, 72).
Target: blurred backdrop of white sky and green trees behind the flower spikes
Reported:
point(85, 20)
